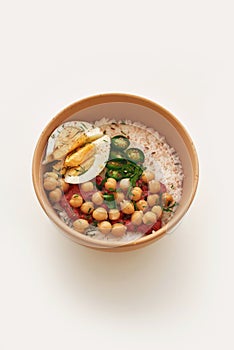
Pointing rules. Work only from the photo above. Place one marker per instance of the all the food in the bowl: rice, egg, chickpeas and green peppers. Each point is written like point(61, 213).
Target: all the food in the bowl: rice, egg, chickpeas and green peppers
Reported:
point(114, 180)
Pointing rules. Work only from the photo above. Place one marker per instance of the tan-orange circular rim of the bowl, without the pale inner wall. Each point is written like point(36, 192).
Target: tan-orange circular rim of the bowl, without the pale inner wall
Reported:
point(89, 102)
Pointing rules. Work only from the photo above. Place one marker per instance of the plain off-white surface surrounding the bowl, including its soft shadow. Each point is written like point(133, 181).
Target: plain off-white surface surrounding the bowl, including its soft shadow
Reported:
point(175, 294)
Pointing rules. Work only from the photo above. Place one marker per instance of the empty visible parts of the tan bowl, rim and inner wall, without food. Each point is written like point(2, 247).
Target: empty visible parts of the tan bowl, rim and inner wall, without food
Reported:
point(123, 106)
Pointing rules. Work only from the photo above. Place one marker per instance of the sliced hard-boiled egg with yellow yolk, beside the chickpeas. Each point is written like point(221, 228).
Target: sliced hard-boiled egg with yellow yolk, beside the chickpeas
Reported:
point(79, 150)
